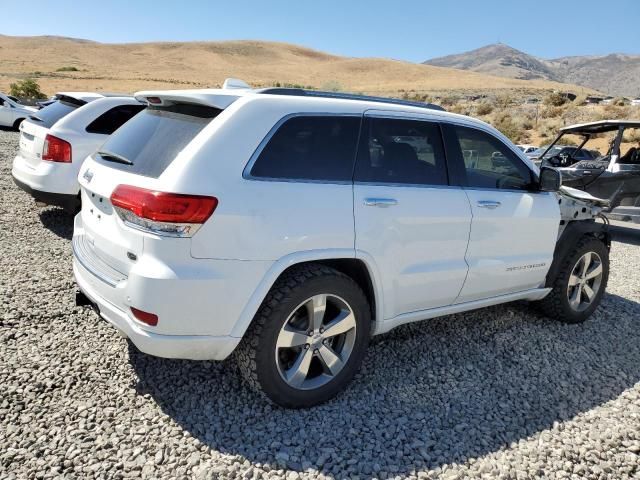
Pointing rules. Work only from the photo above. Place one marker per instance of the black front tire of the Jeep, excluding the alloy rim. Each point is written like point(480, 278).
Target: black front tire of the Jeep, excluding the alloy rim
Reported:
point(556, 304)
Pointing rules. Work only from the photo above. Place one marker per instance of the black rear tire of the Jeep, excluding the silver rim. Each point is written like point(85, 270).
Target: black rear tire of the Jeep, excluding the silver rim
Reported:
point(256, 356)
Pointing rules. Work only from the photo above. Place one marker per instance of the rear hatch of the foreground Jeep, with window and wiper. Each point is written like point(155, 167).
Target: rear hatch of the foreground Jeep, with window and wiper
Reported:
point(135, 155)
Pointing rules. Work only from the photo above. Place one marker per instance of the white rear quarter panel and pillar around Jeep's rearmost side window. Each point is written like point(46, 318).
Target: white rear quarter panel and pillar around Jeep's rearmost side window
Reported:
point(260, 219)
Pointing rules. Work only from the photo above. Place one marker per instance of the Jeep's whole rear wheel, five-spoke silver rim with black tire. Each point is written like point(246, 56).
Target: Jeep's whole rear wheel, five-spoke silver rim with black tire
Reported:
point(308, 339)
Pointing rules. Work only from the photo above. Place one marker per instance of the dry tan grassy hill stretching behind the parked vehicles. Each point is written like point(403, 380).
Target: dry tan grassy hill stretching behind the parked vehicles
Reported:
point(137, 66)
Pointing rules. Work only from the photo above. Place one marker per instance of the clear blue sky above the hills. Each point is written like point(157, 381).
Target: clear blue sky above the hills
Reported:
point(403, 29)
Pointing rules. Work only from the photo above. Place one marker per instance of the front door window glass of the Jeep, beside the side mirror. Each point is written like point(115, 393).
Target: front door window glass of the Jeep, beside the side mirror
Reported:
point(489, 163)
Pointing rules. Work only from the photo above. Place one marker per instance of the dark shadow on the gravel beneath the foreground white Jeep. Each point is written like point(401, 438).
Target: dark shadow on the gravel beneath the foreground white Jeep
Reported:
point(429, 394)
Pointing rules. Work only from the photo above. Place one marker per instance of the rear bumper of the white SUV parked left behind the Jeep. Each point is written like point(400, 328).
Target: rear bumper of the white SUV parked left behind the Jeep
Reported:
point(50, 183)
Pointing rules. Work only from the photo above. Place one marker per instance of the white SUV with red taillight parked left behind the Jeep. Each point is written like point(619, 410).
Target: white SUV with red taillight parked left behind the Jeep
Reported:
point(55, 141)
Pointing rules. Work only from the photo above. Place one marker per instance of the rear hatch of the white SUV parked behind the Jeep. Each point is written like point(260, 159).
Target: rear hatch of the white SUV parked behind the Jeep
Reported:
point(34, 129)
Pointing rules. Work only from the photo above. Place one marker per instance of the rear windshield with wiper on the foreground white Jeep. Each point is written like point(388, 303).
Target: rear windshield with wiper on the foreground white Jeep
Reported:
point(148, 143)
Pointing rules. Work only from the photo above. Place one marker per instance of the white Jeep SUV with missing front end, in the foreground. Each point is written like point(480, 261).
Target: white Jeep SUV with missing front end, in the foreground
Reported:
point(290, 226)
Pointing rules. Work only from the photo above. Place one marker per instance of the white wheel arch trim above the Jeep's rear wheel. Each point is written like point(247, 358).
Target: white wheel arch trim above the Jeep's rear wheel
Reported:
point(361, 270)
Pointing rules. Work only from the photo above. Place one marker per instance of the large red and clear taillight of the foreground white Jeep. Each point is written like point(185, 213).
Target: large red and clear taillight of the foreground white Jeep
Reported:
point(163, 213)
